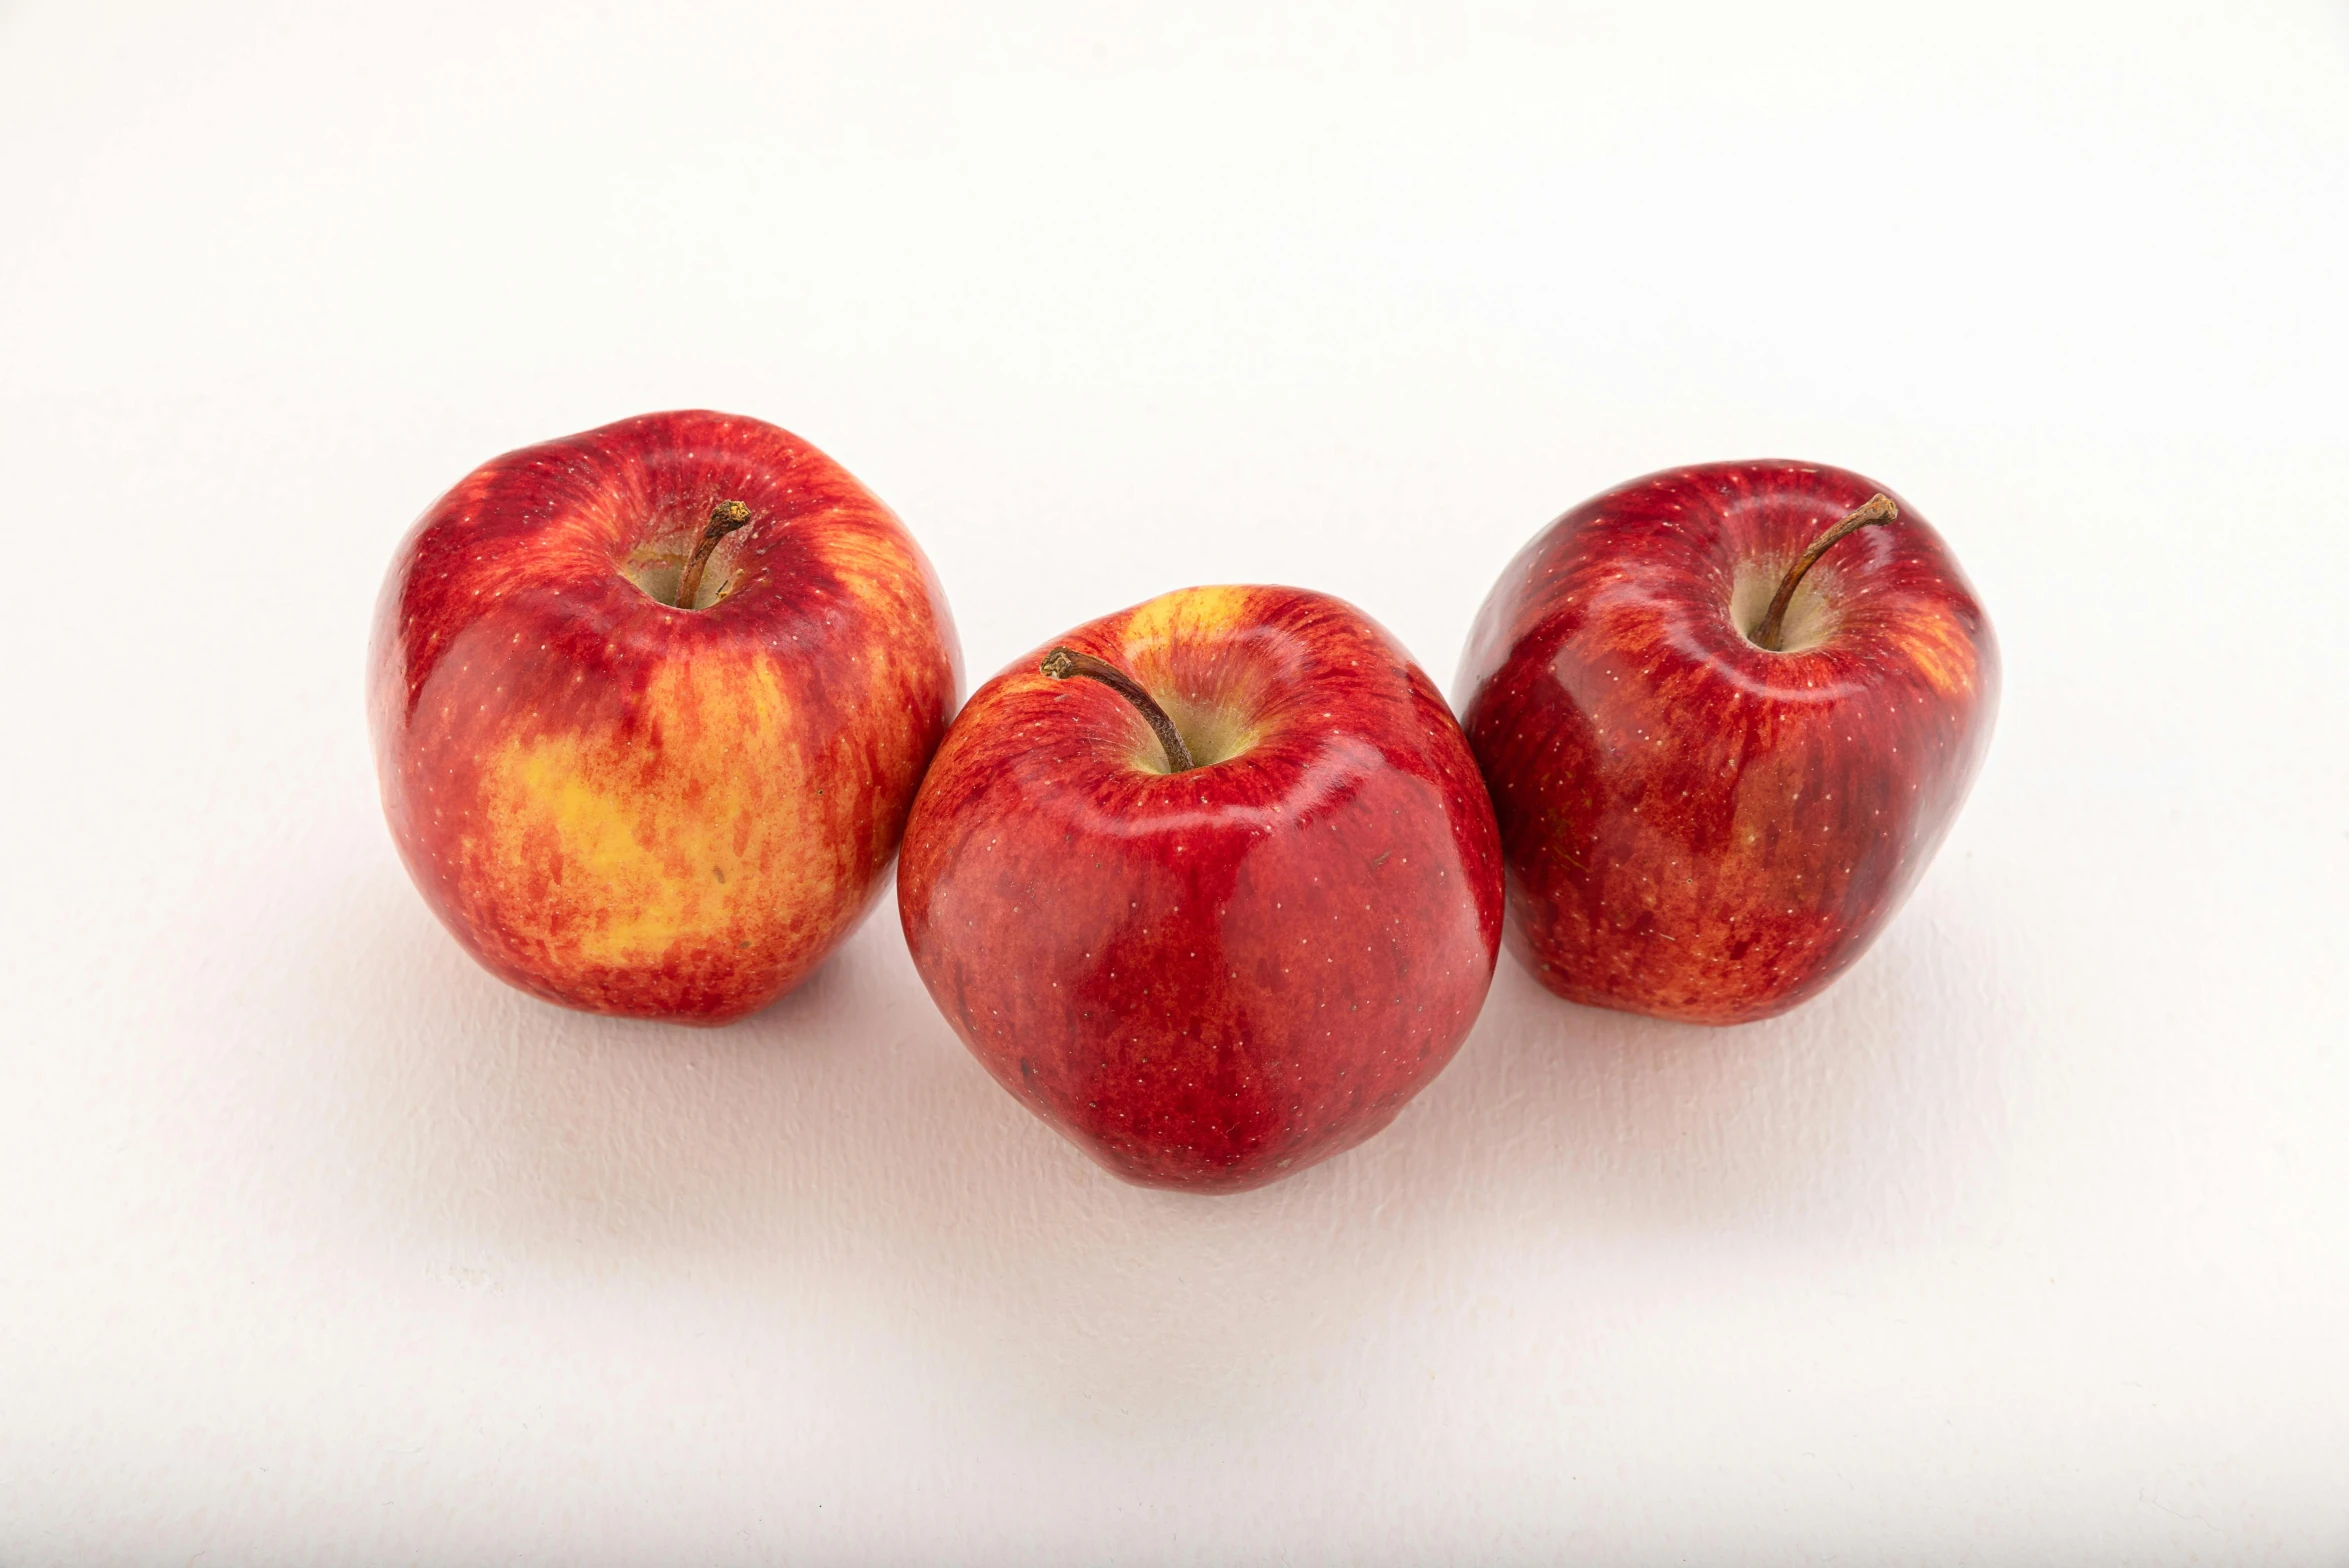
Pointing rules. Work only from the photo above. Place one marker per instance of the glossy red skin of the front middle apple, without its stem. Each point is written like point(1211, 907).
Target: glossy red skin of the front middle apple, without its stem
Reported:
point(1218, 978)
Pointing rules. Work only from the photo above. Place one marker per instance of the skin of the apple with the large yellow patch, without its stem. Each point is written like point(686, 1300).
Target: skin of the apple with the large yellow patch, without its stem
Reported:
point(635, 809)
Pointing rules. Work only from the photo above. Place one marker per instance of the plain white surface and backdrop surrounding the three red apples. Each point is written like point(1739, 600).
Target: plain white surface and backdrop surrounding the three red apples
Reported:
point(2028, 1243)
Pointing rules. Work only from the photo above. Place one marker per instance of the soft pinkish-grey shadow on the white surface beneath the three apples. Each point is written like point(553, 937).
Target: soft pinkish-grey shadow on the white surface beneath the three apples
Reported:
point(840, 1168)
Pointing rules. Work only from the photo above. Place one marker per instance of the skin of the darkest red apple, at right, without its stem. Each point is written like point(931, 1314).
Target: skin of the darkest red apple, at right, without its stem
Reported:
point(1697, 827)
